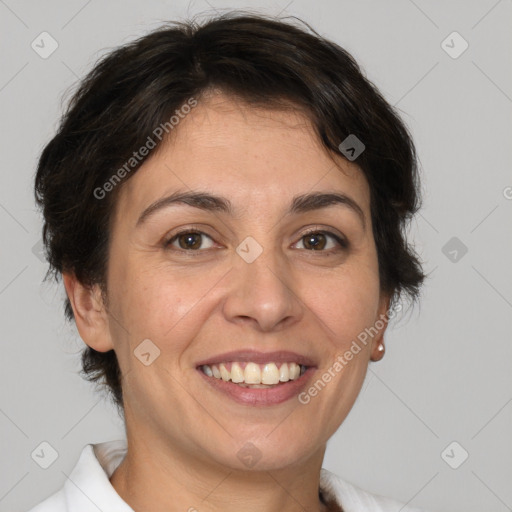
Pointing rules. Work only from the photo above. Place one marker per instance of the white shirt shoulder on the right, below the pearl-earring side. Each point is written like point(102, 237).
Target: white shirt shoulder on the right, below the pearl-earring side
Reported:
point(355, 499)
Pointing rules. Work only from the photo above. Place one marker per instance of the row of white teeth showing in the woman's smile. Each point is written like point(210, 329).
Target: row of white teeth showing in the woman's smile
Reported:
point(255, 375)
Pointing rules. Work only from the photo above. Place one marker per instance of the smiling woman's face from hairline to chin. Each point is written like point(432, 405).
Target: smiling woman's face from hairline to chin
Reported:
point(297, 278)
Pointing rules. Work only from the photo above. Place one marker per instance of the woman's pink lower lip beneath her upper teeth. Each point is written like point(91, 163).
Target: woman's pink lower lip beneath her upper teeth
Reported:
point(260, 396)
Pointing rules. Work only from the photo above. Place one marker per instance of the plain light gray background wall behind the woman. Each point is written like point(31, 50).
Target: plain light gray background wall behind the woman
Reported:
point(446, 373)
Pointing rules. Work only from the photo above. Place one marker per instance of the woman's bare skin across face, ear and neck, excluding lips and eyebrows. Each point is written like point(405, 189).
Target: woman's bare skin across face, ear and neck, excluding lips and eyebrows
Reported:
point(183, 436)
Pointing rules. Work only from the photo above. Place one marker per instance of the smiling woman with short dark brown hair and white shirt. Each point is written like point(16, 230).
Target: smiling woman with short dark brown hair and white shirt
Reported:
point(226, 205)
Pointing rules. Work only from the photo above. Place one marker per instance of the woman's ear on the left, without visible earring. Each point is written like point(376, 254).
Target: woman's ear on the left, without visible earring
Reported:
point(90, 312)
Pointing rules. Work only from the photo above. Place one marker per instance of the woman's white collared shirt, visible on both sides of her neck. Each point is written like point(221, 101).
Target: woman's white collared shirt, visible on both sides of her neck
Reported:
point(88, 488)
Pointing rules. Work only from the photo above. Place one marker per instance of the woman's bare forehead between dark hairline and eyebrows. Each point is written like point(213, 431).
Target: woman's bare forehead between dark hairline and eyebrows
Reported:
point(251, 155)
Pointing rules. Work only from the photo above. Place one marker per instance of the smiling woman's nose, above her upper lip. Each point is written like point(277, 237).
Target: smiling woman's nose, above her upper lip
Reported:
point(262, 294)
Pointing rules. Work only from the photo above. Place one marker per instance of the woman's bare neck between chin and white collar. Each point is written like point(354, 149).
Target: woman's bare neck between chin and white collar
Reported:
point(155, 477)
